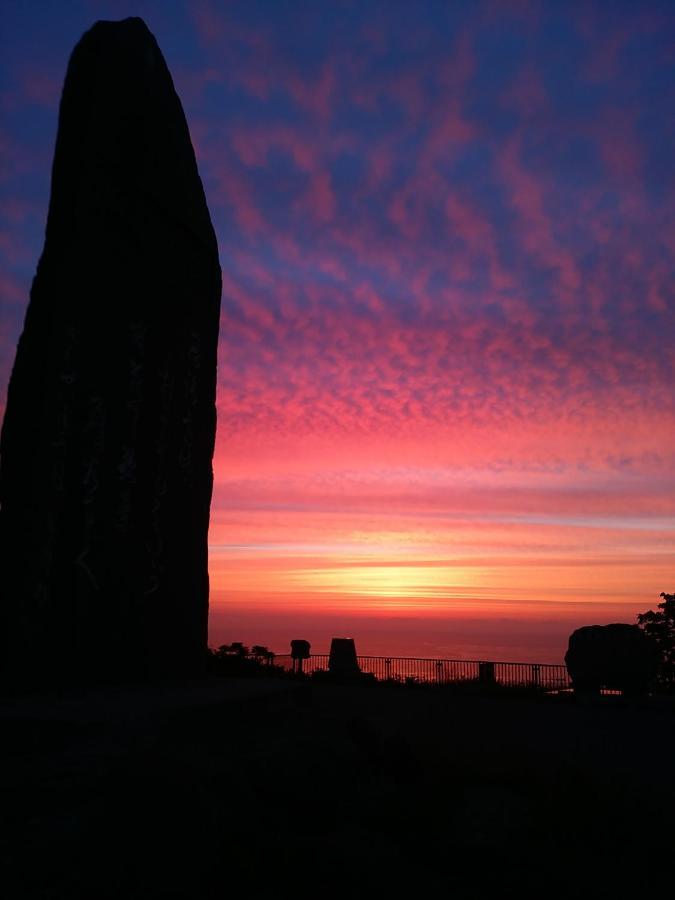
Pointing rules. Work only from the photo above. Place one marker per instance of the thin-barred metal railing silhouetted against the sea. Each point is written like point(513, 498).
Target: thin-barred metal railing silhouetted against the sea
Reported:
point(547, 676)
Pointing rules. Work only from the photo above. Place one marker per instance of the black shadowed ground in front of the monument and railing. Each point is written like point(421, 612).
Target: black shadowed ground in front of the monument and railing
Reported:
point(261, 788)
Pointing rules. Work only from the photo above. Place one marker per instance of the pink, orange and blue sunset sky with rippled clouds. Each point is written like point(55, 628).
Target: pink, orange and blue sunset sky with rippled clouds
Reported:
point(446, 418)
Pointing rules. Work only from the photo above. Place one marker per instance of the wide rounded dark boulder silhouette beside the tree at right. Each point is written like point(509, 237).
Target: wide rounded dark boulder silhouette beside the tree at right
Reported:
point(618, 657)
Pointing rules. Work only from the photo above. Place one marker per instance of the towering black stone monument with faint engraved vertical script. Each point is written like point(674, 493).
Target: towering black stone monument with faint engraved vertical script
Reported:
point(108, 437)
